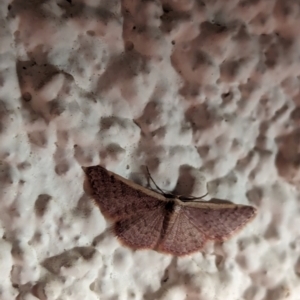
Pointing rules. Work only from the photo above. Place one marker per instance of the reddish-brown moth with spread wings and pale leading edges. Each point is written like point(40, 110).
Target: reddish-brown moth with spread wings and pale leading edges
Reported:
point(145, 219)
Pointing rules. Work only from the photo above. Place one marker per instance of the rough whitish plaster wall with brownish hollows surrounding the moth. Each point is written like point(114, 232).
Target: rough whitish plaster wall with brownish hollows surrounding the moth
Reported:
point(205, 93)
